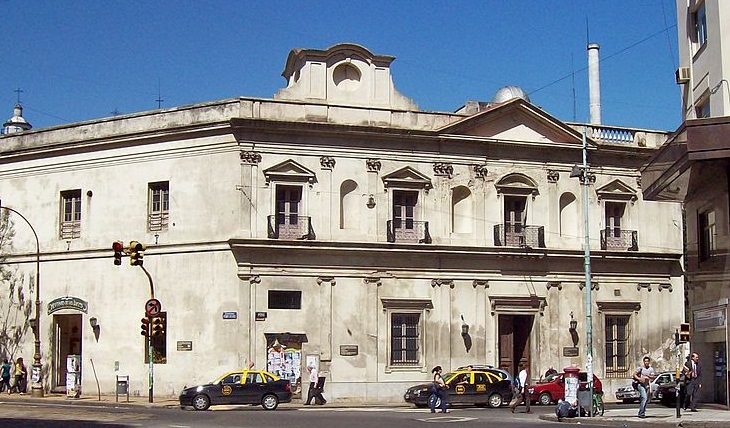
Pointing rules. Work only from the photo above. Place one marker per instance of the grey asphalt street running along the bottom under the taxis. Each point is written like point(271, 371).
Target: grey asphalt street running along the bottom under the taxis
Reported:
point(32, 415)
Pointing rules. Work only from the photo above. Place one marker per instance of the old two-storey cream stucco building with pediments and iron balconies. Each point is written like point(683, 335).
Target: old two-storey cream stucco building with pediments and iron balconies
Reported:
point(338, 223)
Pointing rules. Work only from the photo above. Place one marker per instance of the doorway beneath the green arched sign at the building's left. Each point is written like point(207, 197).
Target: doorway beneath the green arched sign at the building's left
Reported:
point(66, 341)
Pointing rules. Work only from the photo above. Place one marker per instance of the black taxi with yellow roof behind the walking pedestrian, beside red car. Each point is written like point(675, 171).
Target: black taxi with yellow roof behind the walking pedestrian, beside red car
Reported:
point(476, 387)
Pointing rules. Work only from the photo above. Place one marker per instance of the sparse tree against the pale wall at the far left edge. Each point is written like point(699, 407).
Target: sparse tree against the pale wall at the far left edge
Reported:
point(15, 306)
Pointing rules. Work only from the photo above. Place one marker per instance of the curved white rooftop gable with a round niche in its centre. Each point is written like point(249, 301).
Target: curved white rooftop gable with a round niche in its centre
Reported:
point(344, 74)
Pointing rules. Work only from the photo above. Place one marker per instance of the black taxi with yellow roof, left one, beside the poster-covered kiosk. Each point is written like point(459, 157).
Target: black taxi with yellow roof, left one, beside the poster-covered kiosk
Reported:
point(238, 387)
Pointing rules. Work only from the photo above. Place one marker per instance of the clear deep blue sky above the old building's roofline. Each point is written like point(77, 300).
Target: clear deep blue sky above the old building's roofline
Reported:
point(82, 60)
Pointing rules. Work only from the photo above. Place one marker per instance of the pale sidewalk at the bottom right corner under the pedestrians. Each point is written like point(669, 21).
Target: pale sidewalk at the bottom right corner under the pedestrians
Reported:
point(707, 416)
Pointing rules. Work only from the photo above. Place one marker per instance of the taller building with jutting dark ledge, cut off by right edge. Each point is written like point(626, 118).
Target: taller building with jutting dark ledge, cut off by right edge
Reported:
point(693, 167)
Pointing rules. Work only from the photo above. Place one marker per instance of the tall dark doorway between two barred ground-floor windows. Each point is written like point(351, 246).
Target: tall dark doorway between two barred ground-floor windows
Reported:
point(514, 341)
